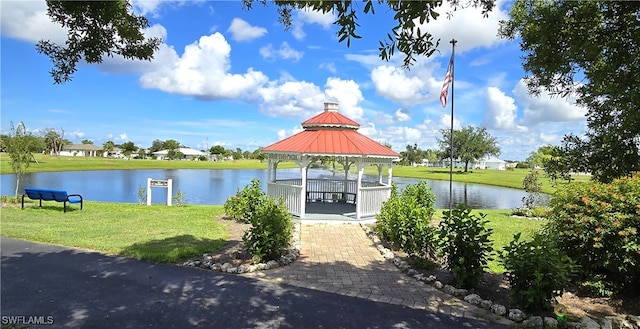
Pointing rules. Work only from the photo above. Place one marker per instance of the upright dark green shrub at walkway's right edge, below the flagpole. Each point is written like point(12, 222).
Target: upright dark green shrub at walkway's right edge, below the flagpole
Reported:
point(465, 245)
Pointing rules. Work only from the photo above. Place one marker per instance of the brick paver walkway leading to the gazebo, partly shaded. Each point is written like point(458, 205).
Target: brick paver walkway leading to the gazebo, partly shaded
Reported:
point(340, 258)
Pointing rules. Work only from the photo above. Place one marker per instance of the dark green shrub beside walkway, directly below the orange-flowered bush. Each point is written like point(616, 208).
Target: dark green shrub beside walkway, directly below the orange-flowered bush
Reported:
point(537, 271)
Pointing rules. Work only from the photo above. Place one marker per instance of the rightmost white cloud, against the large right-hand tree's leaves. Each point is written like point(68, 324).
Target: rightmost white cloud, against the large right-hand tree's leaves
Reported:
point(545, 108)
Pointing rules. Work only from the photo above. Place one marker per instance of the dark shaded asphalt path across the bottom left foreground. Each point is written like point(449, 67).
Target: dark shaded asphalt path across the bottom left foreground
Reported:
point(80, 289)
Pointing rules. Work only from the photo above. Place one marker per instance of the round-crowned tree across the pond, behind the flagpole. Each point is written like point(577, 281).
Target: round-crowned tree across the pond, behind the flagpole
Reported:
point(469, 144)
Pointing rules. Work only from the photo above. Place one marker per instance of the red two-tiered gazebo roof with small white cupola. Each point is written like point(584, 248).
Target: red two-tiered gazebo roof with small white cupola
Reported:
point(330, 133)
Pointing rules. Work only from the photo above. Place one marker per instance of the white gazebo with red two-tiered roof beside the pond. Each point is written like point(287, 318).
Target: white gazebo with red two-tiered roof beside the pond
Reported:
point(330, 134)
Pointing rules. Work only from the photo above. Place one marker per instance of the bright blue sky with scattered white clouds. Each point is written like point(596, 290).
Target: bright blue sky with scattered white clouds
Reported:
point(228, 76)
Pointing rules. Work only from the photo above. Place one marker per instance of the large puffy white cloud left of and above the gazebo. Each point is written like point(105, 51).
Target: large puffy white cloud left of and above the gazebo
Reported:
point(202, 71)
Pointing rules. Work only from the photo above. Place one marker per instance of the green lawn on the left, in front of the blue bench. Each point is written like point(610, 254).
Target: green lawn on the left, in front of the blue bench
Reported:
point(156, 233)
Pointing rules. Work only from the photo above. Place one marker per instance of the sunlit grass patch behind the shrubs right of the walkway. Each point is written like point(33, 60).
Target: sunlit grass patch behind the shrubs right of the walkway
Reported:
point(504, 227)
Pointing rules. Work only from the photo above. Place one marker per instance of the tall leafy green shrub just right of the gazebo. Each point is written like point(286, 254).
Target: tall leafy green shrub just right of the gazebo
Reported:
point(404, 220)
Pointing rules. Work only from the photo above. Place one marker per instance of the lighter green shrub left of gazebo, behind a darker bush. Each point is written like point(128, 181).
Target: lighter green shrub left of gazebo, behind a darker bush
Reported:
point(243, 205)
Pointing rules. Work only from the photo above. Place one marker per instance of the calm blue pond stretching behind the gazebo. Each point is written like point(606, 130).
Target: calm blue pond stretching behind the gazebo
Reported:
point(201, 186)
